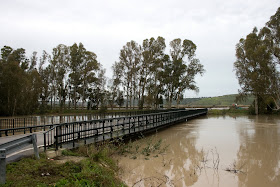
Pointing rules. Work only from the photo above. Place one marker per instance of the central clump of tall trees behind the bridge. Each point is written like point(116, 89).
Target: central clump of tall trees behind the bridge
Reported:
point(147, 74)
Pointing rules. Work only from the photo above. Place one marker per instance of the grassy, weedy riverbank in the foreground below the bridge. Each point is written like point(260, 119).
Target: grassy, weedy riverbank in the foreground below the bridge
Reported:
point(90, 165)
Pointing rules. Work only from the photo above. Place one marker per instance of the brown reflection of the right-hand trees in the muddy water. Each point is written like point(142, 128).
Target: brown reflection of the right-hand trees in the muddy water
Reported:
point(259, 152)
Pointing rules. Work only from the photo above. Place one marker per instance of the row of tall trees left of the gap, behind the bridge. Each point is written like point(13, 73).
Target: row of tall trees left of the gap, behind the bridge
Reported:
point(27, 84)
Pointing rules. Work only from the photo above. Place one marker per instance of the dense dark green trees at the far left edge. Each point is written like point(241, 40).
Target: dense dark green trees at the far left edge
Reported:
point(20, 82)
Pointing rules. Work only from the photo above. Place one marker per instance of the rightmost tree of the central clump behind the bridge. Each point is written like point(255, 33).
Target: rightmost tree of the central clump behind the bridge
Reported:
point(182, 68)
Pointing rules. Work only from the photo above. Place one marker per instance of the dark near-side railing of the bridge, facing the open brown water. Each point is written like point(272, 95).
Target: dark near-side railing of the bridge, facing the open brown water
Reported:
point(99, 130)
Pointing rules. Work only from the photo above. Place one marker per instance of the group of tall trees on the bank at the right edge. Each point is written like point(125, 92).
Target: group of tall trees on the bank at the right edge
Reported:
point(257, 65)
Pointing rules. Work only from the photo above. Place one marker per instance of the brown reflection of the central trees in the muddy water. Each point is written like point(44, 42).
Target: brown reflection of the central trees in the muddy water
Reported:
point(178, 166)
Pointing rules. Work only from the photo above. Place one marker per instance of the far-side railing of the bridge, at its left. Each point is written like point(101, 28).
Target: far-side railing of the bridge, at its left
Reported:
point(11, 126)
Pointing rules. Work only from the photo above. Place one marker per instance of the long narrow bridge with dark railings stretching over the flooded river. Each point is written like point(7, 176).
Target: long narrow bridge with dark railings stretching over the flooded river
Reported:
point(74, 134)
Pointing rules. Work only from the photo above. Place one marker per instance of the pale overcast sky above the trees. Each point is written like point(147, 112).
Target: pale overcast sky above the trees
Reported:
point(215, 26)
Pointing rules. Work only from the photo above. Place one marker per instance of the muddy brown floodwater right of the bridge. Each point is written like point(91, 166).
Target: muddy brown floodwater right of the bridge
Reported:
point(211, 151)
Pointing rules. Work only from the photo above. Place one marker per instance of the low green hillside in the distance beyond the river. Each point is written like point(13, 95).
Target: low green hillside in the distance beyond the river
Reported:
point(217, 101)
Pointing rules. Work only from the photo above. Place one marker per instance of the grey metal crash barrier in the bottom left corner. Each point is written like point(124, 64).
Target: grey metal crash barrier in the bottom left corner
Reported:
point(13, 146)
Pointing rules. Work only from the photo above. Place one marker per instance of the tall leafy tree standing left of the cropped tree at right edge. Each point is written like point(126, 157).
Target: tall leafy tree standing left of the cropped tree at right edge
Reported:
point(253, 67)
